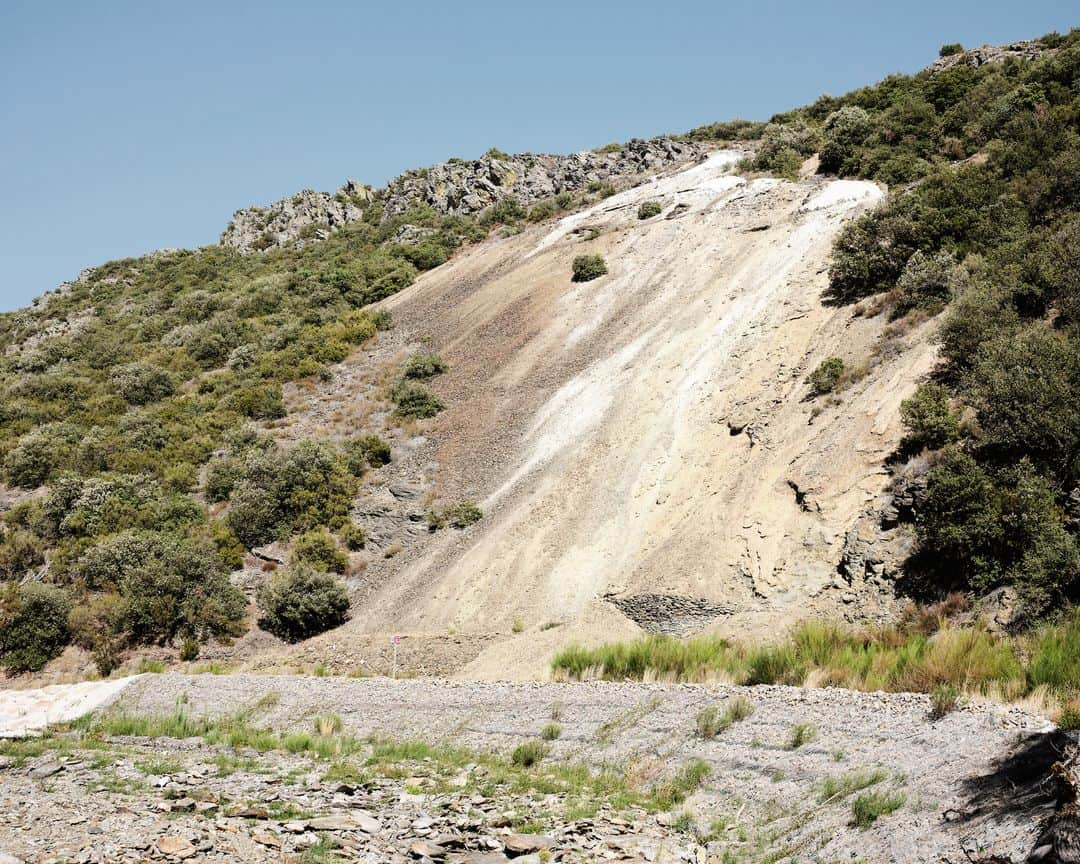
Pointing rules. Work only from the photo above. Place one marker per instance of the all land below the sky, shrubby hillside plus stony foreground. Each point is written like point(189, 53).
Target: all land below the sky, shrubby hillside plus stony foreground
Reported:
point(720, 494)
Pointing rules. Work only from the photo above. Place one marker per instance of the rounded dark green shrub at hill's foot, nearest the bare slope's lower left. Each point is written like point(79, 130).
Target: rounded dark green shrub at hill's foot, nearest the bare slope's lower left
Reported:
point(302, 603)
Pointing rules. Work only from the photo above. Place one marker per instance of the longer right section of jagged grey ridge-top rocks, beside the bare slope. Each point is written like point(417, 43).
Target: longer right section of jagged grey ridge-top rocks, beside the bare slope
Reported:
point(471, 186)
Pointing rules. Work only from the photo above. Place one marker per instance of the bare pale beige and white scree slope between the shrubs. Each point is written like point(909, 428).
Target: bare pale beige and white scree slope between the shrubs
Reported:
point(642, 444)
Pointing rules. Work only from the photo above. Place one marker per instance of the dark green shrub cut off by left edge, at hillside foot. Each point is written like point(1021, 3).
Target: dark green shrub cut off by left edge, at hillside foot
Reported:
point(34, 626)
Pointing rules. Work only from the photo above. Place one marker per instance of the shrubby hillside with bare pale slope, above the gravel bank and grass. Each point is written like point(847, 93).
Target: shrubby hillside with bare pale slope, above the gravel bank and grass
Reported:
point(717, 383)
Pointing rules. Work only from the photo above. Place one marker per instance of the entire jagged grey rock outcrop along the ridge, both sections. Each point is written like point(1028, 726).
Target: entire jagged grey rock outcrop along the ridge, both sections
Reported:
point(458, 186)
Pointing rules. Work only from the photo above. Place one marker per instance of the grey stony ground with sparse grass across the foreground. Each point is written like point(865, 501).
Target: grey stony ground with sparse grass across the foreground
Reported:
point(308, 769)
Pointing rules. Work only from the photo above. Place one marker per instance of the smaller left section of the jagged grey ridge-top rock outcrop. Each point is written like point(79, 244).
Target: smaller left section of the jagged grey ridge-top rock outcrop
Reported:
point(294, 221)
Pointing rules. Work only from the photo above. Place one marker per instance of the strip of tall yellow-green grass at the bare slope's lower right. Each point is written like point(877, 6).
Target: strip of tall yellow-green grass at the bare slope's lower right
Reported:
point(920, 655)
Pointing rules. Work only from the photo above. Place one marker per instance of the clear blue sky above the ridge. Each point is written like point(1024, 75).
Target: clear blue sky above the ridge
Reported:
point(128, 126)
